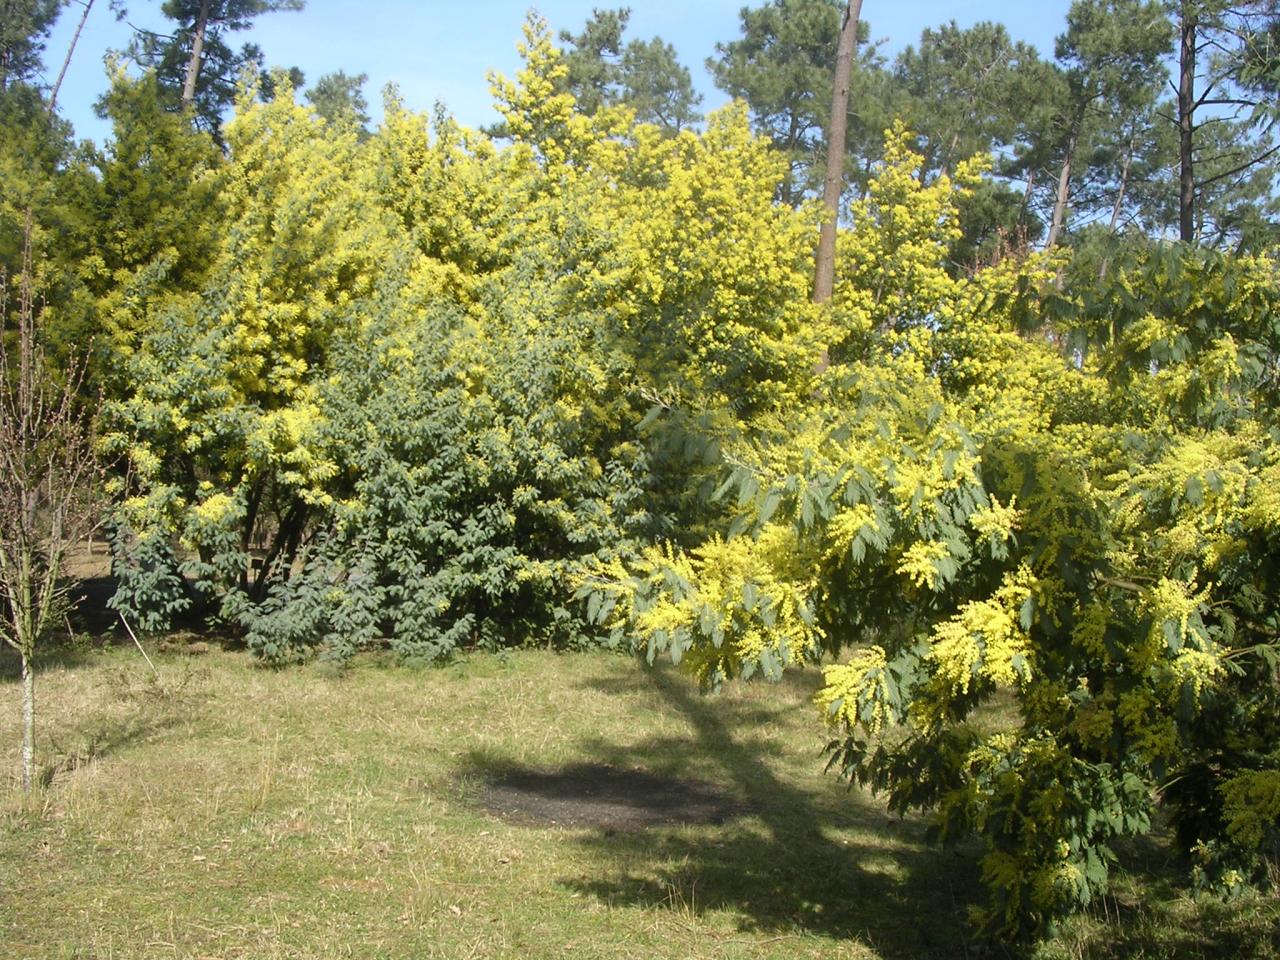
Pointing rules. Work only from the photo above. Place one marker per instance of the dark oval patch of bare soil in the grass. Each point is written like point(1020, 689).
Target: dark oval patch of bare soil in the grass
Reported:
point(598, 796)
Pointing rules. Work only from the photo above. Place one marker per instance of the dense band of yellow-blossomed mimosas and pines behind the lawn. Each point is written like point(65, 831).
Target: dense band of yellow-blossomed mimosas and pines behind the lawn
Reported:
point(427, 388)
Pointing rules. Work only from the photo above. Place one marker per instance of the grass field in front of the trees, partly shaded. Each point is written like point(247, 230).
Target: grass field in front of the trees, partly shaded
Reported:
point(227, 811)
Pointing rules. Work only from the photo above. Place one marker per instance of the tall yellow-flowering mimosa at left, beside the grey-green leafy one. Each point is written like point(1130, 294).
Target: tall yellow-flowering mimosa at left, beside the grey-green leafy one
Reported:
point(221, 414)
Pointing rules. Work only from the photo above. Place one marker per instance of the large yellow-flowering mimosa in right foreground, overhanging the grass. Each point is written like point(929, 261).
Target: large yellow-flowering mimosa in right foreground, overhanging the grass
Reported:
point(1016, 491)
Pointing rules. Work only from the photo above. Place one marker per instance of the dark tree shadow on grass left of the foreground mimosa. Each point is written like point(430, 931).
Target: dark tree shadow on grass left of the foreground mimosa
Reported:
point(787, 860)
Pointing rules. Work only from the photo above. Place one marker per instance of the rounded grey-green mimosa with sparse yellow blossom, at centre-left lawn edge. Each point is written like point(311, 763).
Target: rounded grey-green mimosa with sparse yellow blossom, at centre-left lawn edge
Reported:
point(474, 493)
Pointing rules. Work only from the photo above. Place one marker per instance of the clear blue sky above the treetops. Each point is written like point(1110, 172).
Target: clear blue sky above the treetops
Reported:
point(442, 51)
